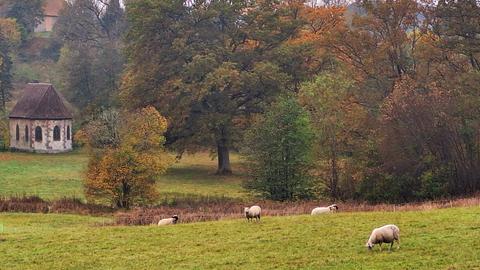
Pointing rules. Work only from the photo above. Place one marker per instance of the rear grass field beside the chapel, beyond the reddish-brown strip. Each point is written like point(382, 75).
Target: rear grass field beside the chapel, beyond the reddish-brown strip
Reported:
point(56, 176)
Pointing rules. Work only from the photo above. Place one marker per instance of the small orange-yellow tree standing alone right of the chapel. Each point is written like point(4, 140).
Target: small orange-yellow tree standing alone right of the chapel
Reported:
point(124, 173)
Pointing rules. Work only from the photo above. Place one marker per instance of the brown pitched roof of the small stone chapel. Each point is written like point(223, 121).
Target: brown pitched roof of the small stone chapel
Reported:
point(40, 101)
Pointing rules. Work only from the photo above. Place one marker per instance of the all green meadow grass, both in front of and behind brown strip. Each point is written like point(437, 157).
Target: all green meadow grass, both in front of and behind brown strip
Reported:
point(433, 239)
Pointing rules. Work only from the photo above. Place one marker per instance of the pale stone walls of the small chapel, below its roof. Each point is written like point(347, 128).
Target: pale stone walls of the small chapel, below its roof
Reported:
point(47, 144)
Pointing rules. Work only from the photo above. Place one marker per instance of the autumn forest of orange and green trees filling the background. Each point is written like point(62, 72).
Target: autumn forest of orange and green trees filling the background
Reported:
point(380, 98)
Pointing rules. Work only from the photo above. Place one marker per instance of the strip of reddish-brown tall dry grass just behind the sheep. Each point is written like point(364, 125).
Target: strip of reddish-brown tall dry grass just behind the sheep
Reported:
point(210, 210)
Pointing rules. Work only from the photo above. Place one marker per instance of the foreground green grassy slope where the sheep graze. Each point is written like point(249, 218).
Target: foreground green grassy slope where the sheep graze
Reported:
point(437, 239)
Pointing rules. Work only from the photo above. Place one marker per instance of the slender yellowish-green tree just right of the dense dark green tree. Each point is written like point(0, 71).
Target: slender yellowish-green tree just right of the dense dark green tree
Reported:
point(340, 125)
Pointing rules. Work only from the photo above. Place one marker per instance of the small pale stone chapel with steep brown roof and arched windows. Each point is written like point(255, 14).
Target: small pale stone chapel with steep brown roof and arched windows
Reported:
point(40, 121)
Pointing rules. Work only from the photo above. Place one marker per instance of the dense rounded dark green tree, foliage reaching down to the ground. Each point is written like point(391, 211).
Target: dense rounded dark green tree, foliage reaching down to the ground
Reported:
point(279, 150)
